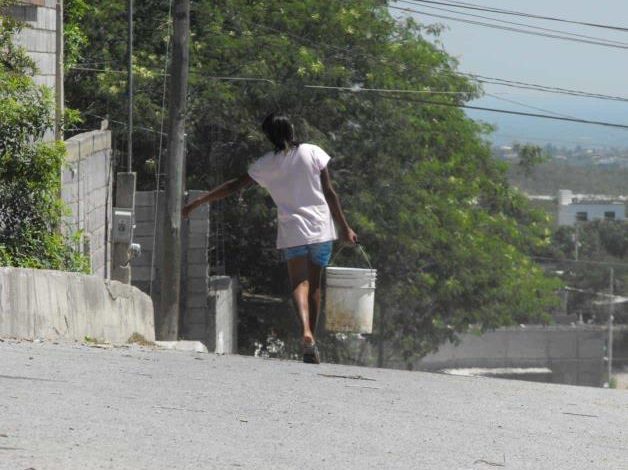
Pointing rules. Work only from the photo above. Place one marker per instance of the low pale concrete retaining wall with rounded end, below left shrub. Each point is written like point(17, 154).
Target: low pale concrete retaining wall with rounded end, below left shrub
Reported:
point(55, 304)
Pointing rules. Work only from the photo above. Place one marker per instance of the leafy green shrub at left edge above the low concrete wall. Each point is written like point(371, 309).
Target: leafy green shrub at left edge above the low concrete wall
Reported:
point(30, 205)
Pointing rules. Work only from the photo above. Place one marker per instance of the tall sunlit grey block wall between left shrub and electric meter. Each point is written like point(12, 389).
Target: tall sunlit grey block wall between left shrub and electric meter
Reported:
point(87, 192)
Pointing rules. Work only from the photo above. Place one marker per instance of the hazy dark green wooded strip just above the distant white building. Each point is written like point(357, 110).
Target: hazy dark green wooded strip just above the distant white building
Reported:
point(549, 177)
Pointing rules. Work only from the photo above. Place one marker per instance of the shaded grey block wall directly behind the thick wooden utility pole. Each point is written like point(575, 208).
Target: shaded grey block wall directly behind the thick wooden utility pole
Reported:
point(198, 319)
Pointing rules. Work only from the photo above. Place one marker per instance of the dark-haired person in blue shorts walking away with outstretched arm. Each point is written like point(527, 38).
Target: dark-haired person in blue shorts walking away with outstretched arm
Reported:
point(297, 178)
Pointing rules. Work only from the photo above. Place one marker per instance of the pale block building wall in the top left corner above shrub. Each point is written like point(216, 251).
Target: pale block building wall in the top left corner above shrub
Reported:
point(38, 37)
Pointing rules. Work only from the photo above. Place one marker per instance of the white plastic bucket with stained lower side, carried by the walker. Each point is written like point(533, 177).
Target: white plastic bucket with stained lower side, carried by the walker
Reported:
point(349, 299)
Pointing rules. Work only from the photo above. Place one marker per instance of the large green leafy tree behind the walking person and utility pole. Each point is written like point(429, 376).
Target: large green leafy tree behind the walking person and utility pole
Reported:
point(450, 238)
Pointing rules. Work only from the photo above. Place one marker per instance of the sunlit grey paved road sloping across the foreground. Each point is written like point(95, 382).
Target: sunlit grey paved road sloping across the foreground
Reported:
point(76, 407)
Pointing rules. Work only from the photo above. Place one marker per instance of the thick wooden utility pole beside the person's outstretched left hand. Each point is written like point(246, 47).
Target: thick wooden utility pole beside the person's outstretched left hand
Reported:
point(167, 321)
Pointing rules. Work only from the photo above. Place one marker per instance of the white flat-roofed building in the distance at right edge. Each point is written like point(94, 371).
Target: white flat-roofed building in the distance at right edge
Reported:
point(585, 208)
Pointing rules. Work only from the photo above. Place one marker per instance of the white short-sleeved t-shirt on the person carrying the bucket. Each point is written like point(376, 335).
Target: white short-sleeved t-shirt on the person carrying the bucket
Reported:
point(293, 180)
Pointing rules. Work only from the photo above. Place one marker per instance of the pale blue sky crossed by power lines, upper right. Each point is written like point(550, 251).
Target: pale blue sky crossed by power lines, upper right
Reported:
point(546, 61)
